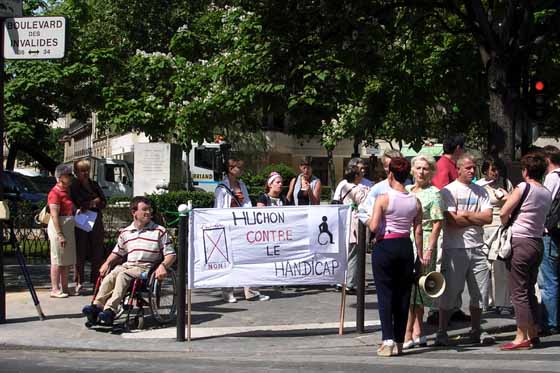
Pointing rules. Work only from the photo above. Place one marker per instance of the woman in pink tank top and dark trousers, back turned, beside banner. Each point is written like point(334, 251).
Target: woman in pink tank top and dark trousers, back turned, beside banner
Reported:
point(393, 257)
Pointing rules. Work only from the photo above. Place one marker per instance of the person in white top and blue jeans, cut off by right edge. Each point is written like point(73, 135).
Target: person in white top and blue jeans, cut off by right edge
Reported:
point(548, 278)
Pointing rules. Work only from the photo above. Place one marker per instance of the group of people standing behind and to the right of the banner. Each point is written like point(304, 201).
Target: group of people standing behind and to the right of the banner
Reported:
point(438, 216)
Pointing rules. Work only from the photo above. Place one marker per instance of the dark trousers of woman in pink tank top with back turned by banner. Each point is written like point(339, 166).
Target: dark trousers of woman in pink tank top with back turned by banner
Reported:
point(393, 264)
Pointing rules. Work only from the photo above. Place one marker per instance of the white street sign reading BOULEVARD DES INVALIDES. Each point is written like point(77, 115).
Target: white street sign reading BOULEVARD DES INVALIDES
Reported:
point(34, 38)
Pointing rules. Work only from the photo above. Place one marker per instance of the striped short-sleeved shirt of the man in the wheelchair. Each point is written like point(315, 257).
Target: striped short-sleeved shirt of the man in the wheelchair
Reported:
point(148, 245)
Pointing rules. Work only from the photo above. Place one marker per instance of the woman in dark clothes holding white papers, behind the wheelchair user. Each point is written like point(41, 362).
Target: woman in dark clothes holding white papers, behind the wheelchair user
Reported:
point(88, 196)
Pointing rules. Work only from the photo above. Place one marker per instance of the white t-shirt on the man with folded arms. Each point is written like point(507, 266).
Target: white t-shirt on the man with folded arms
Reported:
point(461, 197)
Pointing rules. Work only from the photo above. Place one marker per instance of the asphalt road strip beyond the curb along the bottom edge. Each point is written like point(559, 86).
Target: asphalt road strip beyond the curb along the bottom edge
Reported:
point(301, 360)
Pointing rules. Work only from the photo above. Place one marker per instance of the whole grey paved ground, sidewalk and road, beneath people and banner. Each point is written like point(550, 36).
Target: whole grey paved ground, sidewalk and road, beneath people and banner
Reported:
point(296, 330)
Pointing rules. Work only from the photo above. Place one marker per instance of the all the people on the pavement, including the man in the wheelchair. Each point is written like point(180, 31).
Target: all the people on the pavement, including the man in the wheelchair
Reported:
point(425, 216)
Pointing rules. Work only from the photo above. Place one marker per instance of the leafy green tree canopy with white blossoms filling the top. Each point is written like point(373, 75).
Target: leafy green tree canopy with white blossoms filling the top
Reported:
point(183, 70)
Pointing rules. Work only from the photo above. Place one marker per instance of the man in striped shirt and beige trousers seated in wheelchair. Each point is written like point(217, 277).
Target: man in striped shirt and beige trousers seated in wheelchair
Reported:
point(144, 244)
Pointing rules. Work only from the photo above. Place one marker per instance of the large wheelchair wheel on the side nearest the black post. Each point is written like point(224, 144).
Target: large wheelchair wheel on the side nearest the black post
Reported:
point(162, 297)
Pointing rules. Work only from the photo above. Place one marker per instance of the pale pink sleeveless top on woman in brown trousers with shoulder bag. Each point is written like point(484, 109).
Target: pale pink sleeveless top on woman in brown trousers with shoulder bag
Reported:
point(530, 221)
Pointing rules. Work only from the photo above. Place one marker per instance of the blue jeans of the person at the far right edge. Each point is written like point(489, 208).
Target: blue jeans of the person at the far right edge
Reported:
point(548, 283)
